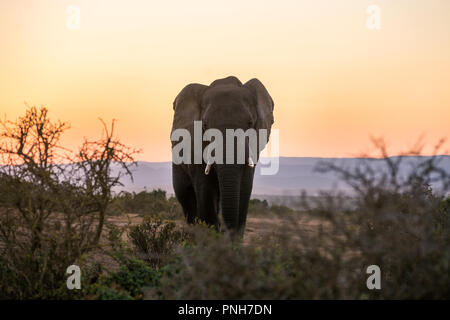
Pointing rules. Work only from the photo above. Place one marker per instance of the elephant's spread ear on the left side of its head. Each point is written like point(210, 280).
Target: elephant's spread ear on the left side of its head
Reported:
point(187, 106)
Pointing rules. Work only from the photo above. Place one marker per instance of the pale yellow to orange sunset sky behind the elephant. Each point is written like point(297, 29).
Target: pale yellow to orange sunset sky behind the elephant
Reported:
point(334, 82)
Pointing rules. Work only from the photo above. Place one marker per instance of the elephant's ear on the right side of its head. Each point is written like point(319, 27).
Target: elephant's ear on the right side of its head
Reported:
point(264, 105)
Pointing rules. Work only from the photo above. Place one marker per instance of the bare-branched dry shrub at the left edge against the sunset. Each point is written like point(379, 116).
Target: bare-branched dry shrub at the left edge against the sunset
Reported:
point(51, 213)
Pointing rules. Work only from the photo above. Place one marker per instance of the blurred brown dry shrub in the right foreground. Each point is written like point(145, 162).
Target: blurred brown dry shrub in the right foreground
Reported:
point(393, 219)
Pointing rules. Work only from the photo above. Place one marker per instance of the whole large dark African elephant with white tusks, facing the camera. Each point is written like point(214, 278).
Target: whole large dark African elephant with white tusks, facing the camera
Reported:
point(204, 189)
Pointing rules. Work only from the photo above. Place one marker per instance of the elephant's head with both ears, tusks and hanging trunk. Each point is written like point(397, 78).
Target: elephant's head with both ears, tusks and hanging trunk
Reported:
point(228, 104)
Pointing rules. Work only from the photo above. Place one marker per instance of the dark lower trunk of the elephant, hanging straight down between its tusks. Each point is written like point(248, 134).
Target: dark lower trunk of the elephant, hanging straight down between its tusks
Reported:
point(229, 176)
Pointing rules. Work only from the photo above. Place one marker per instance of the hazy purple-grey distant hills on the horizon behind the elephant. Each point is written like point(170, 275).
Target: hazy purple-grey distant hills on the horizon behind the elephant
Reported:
point(294, 175)
